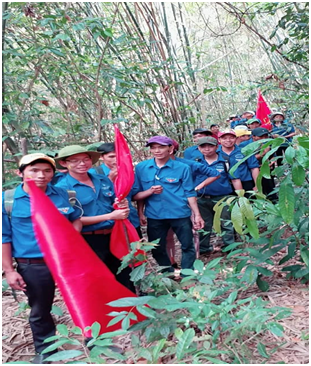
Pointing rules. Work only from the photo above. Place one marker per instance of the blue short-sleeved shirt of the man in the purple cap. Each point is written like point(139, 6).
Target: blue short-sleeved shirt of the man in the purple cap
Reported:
point(177, 183)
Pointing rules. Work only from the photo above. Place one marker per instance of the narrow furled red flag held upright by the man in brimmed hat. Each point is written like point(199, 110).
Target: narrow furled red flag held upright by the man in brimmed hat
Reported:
point(123, 232)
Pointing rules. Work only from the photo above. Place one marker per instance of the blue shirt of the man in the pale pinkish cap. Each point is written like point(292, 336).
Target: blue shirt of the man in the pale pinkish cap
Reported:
point(243, 172)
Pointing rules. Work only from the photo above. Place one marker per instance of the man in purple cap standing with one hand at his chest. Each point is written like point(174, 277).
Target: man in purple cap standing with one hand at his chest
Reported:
point(167, 187)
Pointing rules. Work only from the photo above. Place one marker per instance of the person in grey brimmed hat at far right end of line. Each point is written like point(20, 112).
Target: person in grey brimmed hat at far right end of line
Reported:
point(281, 128)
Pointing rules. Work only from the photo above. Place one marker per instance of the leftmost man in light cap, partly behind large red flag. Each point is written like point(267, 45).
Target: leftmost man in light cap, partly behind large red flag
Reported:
point(18, 241)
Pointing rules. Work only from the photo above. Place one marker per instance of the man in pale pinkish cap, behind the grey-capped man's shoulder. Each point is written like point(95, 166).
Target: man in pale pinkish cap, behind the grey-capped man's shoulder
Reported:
point(248, 171)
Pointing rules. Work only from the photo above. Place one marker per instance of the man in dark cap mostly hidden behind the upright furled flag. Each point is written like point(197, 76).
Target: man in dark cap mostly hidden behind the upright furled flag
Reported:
point(109, 169)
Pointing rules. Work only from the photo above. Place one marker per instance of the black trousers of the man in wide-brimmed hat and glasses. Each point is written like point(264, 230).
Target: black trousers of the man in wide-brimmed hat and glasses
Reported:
point(100, 244)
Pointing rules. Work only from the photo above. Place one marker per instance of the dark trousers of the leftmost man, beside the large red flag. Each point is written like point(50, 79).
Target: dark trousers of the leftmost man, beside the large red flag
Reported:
point(40, 291)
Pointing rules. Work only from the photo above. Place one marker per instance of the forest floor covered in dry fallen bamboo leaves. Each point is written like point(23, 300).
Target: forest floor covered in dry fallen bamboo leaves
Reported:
point(17, 341)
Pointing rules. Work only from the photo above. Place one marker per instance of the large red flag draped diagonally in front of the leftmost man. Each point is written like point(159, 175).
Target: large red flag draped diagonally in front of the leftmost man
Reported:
point(84, 281)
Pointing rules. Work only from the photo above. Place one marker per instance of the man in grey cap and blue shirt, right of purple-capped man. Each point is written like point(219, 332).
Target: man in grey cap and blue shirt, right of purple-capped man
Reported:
point(214, 192)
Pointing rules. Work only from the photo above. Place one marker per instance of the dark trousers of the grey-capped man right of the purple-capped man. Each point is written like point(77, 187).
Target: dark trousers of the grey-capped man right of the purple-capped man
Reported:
point(206, 206)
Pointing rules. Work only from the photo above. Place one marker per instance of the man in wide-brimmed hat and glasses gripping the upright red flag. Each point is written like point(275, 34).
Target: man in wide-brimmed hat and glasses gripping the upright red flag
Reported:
point(96, 195)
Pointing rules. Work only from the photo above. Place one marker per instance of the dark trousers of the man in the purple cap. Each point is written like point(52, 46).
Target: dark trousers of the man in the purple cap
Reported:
point(158, 229)
